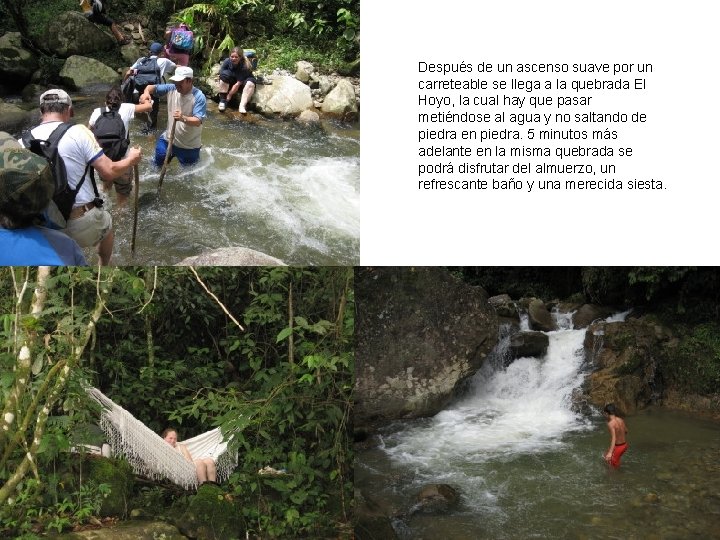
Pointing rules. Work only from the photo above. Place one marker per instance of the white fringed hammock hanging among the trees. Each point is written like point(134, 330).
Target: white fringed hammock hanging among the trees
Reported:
point(149, 455)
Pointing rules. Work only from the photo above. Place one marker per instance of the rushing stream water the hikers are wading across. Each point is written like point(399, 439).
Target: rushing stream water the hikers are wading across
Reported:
point(288, 190)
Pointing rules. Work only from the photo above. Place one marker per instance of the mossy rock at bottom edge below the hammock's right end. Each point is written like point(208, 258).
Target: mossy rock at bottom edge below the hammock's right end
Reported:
point(210, 515)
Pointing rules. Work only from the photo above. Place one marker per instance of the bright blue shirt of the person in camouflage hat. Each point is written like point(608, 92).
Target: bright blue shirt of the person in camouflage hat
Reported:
point(39, 246)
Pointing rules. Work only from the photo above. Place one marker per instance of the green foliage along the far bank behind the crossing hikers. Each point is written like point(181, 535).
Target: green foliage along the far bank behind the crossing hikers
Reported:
point(326, 33)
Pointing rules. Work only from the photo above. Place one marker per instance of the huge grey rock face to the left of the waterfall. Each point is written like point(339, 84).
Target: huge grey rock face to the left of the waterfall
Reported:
point(420, 332)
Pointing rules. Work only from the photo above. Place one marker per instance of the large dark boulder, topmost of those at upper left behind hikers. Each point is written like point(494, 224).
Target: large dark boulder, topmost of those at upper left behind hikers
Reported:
point(70, 33)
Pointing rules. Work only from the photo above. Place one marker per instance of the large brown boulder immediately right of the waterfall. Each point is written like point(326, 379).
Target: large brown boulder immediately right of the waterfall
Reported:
point(625, 357)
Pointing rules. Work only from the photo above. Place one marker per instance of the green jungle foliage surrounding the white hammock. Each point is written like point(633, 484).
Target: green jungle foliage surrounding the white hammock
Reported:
point(167, 345)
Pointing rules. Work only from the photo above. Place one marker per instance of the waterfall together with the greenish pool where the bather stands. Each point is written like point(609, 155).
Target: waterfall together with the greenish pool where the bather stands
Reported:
point(526, 466)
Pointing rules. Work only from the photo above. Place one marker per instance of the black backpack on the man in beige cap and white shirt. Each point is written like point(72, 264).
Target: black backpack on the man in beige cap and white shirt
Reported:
point(64, 196)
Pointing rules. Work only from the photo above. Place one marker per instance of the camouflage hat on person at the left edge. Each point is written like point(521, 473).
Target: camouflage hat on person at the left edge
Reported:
point(26, 181)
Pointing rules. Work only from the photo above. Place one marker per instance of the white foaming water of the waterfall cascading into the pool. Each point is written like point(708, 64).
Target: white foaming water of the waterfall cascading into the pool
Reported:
point(522, 408)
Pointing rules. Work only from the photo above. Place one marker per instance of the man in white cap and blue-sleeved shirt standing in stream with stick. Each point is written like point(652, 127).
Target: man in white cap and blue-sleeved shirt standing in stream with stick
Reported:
point(187, 108)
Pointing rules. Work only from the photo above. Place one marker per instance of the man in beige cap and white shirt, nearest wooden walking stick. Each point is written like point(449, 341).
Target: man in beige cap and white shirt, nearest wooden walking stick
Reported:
point(89, 223)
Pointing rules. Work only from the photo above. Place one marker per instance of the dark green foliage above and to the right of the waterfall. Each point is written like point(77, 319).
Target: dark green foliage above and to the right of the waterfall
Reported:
point(687, 299)
